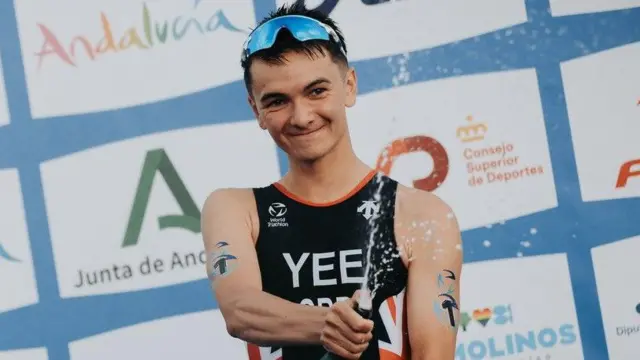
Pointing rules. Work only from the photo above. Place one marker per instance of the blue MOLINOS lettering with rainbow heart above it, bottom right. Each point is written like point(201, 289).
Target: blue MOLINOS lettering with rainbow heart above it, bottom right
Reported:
point(535, 344)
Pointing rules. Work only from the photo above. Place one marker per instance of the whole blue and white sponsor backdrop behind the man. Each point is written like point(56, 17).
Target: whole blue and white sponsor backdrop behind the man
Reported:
point(117, 118)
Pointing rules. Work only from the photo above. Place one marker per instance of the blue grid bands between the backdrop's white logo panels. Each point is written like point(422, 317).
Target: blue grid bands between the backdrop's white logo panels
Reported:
point(574, 226)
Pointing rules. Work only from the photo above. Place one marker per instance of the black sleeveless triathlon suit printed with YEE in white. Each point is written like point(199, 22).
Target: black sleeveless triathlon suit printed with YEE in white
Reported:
point(315, 254)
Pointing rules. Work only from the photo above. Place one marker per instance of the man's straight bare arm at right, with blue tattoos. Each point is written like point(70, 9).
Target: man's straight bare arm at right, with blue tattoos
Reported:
point(431, 236)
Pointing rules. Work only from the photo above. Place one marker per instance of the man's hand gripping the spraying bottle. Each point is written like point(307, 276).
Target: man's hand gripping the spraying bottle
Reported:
point(346, 333)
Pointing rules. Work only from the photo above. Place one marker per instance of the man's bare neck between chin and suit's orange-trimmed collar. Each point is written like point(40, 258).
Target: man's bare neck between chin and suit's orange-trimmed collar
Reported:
point(327, 179)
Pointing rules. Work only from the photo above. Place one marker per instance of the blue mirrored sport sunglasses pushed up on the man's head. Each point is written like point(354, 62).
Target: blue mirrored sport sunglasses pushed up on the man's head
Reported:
point(301, 27)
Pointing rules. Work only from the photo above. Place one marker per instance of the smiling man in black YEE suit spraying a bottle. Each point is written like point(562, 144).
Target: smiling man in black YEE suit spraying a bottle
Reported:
point(295, 252)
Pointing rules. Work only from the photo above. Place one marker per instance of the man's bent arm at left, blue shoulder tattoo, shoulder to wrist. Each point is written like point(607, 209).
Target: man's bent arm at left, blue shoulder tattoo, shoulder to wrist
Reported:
point(250, 314)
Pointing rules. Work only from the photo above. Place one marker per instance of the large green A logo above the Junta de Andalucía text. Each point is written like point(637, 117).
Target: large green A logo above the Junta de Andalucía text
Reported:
point(157, 161)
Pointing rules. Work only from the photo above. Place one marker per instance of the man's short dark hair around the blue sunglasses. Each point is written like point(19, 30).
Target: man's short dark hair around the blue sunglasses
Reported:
point(286, 42)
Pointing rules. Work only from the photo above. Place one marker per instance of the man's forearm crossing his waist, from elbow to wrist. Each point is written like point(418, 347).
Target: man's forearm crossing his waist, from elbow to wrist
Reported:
point(263, 319)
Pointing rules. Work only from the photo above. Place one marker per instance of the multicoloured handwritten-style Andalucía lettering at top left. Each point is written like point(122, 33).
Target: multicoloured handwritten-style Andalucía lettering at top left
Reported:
point(150, 32)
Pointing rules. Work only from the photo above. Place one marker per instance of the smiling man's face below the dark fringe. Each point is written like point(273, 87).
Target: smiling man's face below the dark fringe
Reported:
point(302, 102)
